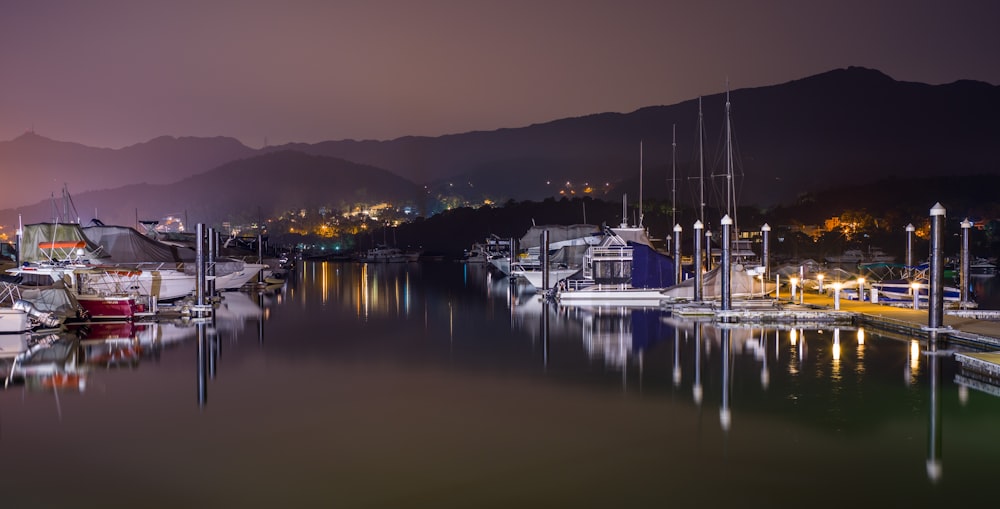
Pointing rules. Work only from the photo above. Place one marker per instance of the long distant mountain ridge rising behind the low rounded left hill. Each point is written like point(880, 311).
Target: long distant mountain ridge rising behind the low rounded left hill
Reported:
point(852, 125)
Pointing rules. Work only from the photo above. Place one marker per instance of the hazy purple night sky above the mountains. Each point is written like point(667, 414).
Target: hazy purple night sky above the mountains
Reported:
point(114, 73)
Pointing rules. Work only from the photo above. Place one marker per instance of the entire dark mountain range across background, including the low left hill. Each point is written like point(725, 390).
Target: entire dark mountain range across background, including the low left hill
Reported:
point(852, 125)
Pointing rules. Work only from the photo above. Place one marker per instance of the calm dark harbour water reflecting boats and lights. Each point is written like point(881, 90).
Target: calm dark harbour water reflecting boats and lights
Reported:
point(434, 385)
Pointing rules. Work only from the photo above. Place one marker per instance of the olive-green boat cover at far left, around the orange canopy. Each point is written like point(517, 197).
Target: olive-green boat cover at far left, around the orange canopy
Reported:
point(47, 242)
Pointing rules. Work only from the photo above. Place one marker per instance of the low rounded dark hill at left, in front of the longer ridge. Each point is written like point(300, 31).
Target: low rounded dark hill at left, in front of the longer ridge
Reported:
point(242, 190)
